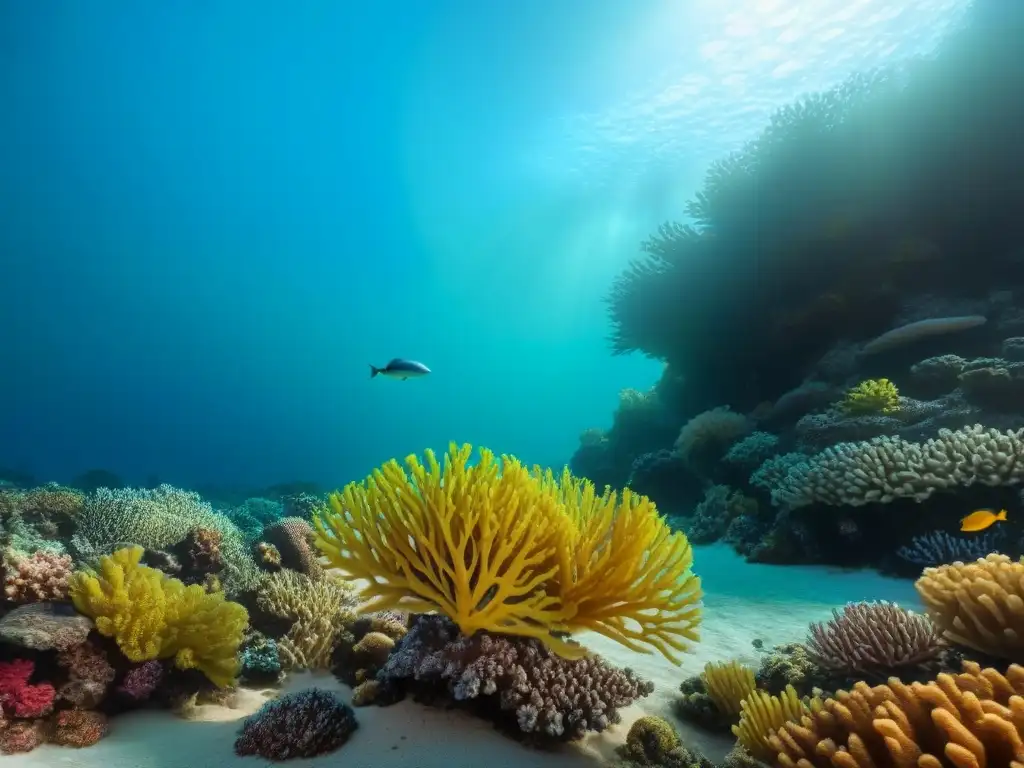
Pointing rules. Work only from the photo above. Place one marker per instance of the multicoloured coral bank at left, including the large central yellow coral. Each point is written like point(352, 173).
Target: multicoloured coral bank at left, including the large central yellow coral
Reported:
point(473, 577)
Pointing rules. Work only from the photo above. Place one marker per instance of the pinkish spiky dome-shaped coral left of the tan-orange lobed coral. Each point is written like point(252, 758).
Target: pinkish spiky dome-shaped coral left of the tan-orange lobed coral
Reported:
point(873, 638)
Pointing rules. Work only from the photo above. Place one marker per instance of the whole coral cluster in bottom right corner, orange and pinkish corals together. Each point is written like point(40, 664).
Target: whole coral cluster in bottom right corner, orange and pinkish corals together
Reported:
point(879, 686)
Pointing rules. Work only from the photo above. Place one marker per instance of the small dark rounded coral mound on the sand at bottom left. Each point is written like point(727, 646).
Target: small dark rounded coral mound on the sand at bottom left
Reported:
point(298, 726)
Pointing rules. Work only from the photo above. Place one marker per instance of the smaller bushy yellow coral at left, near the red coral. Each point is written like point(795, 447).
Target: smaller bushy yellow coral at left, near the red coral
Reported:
point(152, 616)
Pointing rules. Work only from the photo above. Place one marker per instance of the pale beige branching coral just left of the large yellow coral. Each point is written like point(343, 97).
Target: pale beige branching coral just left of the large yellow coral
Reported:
point(318, 611)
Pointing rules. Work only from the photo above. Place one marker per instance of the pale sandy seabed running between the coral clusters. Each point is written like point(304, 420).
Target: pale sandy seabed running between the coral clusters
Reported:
point(743, 603)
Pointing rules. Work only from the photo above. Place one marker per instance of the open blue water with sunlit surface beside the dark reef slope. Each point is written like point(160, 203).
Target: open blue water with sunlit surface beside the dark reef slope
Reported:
point(216, 216)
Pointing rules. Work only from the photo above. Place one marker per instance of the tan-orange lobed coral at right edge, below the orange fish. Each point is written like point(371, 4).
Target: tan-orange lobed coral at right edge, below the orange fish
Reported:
point(978, 605)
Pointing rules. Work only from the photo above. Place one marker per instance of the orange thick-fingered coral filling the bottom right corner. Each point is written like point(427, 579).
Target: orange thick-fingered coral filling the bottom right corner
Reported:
point(970, 719)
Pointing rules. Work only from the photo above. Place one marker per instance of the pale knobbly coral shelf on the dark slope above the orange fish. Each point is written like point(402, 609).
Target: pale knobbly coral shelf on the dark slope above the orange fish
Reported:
point(884, 470)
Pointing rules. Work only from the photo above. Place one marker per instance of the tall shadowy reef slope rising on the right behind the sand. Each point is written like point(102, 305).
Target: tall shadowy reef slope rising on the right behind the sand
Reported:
point(845, 362)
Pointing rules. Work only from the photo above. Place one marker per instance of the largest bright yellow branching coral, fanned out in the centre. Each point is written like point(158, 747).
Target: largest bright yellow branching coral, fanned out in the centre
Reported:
point(499, 548)
